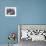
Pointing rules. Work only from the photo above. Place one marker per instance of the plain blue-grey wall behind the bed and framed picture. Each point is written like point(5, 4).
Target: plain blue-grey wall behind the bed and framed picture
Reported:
point(28, 12)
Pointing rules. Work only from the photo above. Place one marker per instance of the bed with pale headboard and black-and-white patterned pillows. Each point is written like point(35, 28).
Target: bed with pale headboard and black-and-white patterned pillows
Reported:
point(31, 33)
